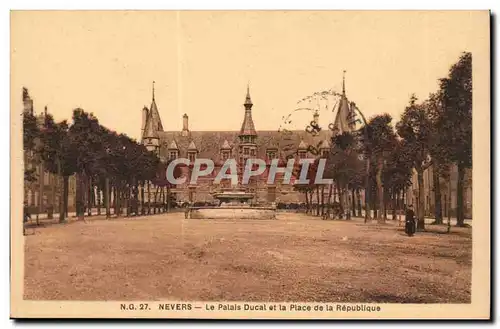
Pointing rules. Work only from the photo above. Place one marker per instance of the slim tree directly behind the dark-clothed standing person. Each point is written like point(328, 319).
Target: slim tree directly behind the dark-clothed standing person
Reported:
point(415, 128)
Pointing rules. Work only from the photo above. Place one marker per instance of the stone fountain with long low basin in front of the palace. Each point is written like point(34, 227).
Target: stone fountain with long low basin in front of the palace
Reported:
point(234, 203)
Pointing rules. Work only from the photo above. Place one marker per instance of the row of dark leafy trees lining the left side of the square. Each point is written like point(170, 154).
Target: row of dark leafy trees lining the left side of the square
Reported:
point(102, 160)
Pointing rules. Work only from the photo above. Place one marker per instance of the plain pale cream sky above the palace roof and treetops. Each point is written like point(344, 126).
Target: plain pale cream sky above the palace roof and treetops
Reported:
point(202, 61)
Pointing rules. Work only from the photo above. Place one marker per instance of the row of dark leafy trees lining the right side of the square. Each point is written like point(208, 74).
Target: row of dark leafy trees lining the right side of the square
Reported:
point(380, 158)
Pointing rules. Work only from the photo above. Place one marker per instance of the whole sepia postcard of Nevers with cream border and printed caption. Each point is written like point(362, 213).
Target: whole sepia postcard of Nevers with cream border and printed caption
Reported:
point(250, 164)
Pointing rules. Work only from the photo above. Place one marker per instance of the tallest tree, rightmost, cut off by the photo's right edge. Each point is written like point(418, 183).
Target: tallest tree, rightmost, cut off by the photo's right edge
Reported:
point(456, 121)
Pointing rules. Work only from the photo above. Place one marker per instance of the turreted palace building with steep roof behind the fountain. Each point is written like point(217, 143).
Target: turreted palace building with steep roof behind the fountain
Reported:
point(242, 144)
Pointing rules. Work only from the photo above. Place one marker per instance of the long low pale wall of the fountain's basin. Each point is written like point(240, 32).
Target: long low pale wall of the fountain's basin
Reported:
point(232, 213)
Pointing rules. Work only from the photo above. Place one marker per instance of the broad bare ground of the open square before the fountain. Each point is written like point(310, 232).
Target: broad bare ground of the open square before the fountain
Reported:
point(294, 258)
